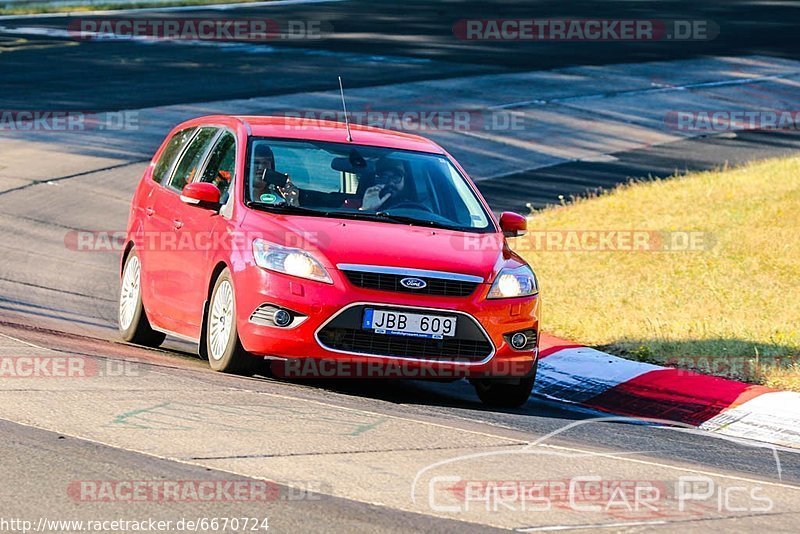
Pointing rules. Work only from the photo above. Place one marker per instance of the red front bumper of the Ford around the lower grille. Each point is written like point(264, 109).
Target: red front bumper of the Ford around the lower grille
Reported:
point(321, 304)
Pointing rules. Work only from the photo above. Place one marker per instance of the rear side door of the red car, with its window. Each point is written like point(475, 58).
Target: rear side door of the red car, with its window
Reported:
point(170, 283)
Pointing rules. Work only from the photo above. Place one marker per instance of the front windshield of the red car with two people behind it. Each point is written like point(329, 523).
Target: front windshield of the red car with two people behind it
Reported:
point(351, 181)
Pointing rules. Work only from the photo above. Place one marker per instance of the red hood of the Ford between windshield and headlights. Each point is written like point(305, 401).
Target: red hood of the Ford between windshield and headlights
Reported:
point(337, 241)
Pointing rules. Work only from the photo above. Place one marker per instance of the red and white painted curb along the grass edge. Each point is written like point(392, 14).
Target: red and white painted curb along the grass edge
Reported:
point(600, 381)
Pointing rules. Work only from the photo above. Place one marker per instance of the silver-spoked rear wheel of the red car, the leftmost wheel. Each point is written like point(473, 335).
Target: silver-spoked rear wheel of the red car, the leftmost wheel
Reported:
point(134, 327)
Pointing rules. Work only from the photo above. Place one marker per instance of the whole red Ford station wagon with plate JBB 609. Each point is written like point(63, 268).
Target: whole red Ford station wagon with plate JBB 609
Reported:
point(291, 240)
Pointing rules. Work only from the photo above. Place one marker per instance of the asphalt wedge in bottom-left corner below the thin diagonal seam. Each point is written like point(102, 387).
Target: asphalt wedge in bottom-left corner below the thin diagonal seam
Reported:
point(31, 456)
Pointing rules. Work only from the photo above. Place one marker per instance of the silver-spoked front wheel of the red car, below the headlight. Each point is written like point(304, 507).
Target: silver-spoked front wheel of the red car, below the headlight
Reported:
point(221, 340)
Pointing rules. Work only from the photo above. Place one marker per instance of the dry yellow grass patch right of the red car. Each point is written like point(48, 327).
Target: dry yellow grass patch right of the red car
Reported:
point(731, 307)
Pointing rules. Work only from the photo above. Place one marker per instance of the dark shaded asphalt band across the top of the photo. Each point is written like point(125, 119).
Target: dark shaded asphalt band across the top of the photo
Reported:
point(414, 37)
